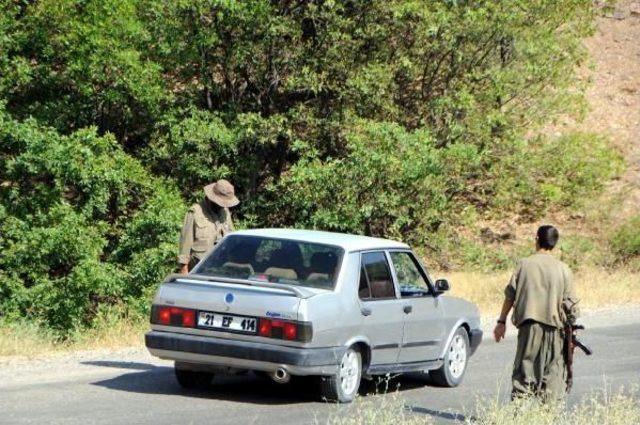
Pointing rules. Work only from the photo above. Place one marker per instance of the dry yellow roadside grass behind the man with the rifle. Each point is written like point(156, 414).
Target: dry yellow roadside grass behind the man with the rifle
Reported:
point(596, 288)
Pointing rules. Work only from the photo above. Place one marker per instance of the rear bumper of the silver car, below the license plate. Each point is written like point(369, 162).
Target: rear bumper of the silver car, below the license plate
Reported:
point(242, 354)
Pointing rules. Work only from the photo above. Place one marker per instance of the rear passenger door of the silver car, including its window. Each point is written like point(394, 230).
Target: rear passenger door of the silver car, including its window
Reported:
point(380, 307)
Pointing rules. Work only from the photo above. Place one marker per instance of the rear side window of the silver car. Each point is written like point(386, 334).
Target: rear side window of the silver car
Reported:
point(375, 277)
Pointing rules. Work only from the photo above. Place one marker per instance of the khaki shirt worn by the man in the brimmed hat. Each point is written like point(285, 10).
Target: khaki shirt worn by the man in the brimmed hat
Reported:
point(203, 228)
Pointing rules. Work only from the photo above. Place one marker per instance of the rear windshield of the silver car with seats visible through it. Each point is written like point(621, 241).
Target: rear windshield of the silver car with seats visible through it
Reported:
point(274, 260)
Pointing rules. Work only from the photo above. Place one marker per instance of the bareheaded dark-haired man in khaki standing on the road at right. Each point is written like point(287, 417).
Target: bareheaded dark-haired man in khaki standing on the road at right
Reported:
point(538, 289)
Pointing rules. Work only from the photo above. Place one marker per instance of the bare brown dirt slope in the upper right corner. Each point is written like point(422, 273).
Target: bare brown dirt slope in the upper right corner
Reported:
point(612, 77)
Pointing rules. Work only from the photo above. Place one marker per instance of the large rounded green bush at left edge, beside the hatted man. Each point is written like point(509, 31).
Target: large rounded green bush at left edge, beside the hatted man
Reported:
point(82, 224)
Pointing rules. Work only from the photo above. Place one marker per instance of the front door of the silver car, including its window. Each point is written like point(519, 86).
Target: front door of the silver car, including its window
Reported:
point(424, 329)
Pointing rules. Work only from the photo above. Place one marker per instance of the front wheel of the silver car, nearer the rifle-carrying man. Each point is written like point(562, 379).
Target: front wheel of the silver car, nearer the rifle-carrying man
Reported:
point(451, 373)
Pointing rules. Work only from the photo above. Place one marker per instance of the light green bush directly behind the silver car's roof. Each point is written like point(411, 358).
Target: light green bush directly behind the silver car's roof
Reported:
point(366, 190)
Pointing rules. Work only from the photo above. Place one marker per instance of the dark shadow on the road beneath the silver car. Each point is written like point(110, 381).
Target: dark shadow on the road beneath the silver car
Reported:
point(245, 388)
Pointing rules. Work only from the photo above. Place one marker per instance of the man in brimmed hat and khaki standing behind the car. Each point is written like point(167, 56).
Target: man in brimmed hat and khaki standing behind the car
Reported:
point(206, 223)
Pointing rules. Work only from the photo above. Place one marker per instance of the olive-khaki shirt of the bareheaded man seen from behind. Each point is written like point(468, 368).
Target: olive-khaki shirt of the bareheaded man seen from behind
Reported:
point(538, 288)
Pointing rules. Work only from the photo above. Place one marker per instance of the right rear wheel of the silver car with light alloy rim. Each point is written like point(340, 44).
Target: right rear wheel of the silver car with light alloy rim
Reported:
point(343, 386)
